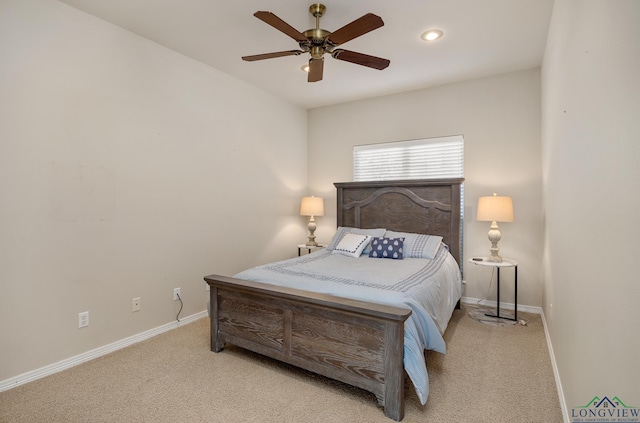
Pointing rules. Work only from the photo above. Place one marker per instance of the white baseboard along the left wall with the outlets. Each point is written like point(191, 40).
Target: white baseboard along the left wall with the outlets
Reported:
point(95, 353)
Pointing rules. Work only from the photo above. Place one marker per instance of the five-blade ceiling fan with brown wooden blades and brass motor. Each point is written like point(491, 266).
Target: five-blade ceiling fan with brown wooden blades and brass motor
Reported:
point(317, 41)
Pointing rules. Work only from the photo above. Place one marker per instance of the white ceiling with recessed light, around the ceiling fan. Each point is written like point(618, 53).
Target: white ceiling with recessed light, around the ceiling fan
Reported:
point(481, 38)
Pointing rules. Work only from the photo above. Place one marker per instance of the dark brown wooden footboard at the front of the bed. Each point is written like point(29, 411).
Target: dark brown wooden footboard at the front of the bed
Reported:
point(355, 342)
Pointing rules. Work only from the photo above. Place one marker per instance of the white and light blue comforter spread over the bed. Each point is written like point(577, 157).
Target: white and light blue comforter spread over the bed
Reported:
point(430, 288)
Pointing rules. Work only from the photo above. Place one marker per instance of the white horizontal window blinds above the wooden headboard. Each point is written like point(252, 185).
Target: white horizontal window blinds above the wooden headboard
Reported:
point(431, 158)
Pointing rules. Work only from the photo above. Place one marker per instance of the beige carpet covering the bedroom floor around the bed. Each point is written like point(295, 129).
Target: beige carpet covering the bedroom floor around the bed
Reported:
point(489, 374)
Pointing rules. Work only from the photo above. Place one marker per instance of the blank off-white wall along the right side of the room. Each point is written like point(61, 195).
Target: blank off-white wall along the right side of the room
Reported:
point(591, 145)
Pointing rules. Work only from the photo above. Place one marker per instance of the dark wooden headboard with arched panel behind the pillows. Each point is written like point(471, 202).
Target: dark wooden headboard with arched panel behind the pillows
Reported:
point(420, 206)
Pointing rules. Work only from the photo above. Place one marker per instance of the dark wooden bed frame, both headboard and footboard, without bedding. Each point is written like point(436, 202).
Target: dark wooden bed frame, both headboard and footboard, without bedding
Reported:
point(356, 342)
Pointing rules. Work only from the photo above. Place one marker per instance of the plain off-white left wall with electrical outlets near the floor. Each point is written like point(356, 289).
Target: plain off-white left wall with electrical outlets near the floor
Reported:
point(127, 170)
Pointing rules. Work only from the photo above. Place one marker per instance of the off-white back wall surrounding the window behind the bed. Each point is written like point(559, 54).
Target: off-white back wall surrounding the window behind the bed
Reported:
point(499, 118)
